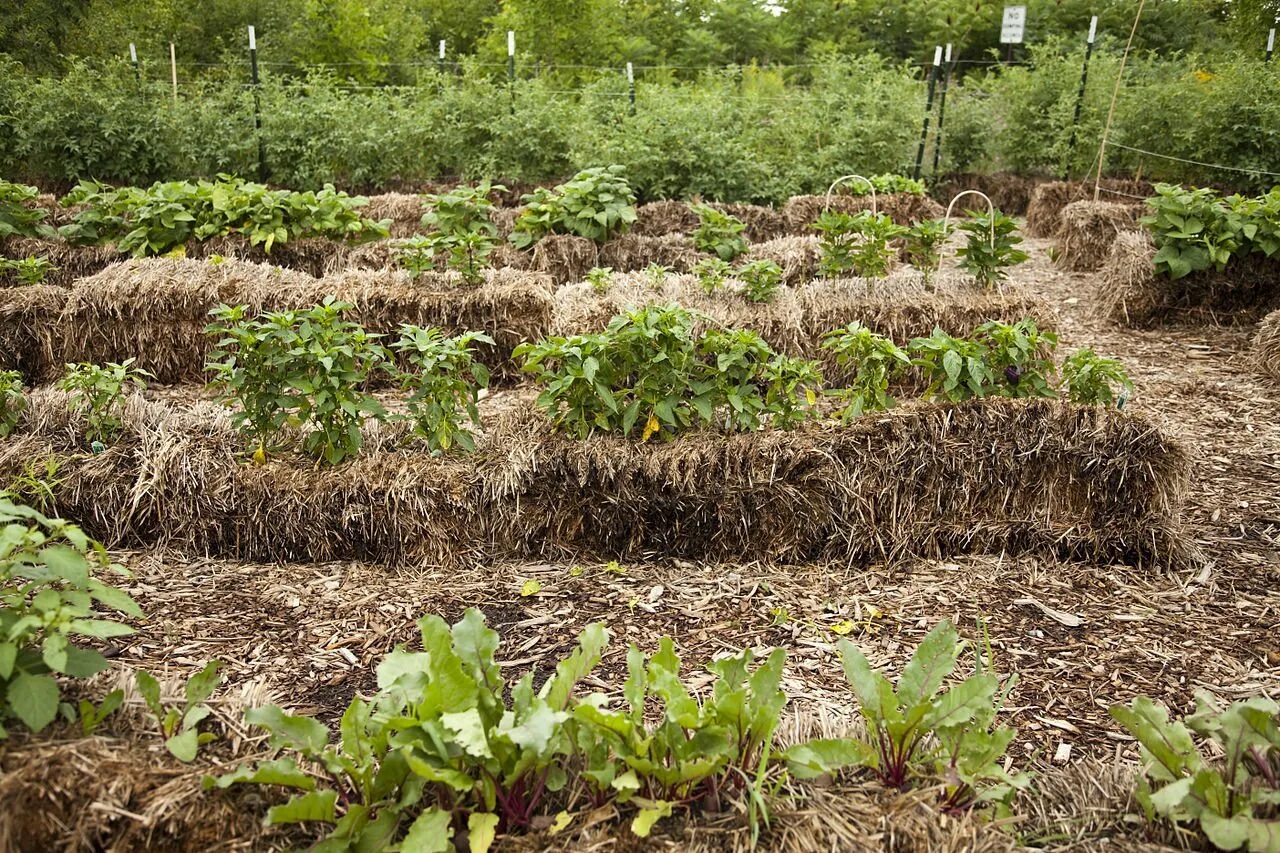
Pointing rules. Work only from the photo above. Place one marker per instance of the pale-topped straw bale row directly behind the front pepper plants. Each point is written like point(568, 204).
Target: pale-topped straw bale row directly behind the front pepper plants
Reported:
point(156, 311)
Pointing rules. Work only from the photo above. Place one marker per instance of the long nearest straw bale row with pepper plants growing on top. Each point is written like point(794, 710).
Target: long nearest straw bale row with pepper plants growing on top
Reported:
point(924, 481)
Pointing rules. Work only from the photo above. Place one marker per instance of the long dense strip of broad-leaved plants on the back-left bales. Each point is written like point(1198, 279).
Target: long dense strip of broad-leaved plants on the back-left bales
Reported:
point(166, 216)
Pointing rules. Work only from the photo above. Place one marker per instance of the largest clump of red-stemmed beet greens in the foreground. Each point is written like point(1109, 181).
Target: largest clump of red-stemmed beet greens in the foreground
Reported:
point(445, 737)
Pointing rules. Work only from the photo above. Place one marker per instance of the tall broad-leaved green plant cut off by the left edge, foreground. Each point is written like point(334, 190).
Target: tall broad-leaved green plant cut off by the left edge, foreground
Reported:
point(48, 599)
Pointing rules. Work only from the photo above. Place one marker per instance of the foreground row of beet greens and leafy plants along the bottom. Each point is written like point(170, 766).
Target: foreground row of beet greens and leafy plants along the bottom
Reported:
point(447, 745)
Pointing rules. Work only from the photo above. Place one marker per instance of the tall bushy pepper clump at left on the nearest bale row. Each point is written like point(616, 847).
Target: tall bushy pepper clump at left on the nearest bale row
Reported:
point(303, 368)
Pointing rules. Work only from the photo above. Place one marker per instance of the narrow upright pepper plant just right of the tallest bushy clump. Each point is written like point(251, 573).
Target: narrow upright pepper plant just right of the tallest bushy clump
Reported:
point(444, 381)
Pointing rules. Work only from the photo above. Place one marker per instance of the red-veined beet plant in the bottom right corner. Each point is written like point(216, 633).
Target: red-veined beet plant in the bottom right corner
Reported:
point(1236, 796)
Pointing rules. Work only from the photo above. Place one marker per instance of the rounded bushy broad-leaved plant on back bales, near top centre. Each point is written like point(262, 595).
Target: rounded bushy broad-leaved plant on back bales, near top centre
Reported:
point(597, 204)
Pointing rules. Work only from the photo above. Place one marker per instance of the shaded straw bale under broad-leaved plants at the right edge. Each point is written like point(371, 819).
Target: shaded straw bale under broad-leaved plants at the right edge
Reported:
point(1132, 294)
